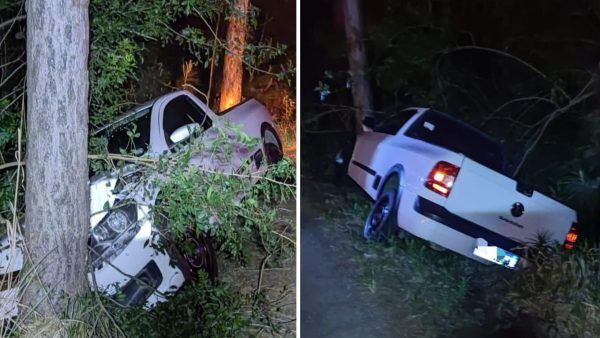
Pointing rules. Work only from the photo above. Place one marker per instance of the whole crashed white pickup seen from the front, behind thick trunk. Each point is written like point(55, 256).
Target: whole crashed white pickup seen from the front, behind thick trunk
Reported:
point(121, 258)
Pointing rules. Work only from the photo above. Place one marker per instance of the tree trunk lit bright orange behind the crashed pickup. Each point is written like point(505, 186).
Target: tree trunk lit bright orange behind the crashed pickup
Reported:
point(231, 84)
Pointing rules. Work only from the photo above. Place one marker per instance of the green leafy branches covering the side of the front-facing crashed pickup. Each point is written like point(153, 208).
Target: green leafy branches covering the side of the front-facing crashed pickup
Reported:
point(233, 209)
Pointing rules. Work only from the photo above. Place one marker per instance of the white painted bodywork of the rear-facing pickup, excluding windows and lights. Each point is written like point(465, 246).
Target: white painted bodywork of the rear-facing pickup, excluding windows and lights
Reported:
point(480, 196)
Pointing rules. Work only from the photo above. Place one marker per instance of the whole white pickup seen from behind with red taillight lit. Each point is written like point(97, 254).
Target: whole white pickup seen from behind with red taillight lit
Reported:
point(442, 180)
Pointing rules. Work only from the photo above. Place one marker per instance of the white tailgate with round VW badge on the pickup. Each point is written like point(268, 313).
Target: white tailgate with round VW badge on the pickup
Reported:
point(491, 200)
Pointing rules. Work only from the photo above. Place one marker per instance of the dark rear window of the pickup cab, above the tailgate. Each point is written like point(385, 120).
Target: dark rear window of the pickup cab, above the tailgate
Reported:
point(442, 130)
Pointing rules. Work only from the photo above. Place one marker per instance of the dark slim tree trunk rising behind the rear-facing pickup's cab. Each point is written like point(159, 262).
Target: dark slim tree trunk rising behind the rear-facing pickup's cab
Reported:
point(357, 59)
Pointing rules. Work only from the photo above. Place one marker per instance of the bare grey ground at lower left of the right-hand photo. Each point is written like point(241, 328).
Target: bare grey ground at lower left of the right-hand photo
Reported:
point(336, 301)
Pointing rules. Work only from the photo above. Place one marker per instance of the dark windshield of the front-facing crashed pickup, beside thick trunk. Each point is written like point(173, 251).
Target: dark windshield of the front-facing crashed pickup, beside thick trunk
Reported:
point(131, 134)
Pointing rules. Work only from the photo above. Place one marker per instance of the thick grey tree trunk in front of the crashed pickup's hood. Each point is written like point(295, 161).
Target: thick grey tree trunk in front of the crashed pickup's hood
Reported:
point(56, 193)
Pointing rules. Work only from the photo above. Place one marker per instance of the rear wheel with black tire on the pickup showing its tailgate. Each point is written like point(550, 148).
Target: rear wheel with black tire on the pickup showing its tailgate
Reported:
point(382, 223)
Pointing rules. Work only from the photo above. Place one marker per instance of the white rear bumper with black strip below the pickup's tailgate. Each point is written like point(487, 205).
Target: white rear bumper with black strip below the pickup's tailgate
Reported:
point(432, 222)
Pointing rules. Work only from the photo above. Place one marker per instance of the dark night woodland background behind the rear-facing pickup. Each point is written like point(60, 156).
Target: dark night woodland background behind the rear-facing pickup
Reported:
point(413, 61)
